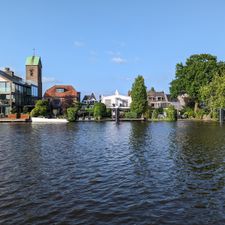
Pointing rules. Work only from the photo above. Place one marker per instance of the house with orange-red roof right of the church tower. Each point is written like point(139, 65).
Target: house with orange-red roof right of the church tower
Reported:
point(61, 97)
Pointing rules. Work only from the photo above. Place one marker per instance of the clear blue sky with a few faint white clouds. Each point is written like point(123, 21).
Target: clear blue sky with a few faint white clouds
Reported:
point(102, 45)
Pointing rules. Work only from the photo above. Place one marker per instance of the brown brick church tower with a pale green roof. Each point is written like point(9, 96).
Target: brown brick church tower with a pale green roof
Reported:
point(34, 72)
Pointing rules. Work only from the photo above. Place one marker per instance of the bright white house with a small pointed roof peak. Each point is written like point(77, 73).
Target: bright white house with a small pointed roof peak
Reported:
point(116, 100)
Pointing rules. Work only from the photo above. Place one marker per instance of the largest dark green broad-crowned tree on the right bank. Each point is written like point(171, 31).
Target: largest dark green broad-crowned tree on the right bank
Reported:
point(197, 72)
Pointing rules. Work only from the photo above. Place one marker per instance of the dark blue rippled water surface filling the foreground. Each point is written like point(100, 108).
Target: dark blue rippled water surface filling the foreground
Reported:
point(103, 173)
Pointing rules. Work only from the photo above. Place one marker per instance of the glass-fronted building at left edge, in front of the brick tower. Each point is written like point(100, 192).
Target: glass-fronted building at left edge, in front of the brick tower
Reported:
point(15, 93)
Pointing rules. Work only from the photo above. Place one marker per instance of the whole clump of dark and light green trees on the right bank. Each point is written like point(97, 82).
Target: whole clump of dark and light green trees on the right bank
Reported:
point(202, 78)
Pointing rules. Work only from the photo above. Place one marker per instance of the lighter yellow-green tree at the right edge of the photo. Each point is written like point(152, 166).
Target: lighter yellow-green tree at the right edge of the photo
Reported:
point(213, 94)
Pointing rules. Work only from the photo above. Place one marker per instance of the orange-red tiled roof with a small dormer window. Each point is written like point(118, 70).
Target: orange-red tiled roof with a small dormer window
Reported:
point(69, 91)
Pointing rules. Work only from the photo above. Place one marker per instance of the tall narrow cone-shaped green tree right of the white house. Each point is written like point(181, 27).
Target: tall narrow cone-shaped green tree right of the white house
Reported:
point(139, 96)
